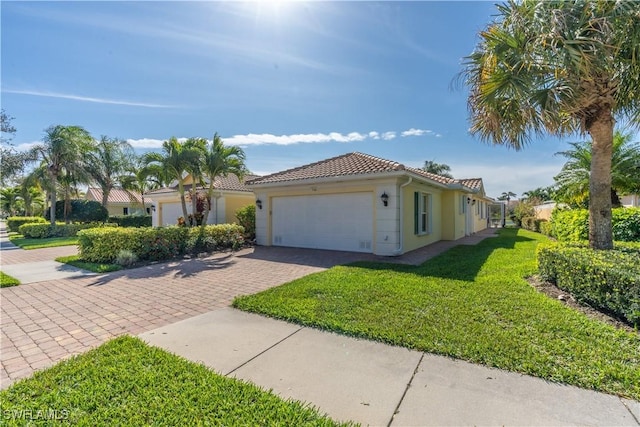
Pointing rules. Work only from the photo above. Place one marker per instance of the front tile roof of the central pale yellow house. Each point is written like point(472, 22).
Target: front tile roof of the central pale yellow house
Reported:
point(344, 165)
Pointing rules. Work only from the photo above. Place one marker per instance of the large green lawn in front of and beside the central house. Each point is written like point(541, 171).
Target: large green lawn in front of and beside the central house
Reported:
point(471, 303)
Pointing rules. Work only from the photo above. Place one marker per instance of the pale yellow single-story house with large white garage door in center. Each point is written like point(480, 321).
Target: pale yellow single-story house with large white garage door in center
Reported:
point(361, 203)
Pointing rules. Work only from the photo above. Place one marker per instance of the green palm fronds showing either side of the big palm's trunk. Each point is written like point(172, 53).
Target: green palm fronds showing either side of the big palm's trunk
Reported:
point(573, 179)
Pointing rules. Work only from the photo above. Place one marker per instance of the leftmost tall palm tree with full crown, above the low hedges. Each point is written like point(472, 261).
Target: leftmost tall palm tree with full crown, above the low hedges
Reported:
point(62, 154)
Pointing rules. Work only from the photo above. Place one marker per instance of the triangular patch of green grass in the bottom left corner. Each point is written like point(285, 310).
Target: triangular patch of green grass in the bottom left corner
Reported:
point(126, 382)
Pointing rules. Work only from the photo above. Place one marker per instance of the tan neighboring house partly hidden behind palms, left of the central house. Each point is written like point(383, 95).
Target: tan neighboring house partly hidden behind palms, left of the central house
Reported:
point(230, 195)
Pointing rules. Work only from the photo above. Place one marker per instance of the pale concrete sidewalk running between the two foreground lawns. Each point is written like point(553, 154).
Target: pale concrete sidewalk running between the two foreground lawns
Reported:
point(376, 384)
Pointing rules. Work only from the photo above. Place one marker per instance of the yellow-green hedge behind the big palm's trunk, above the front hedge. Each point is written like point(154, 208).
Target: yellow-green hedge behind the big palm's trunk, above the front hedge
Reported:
point(573, 225)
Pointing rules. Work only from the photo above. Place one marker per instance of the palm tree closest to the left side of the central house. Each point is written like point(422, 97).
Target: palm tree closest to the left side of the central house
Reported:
point(220, 160)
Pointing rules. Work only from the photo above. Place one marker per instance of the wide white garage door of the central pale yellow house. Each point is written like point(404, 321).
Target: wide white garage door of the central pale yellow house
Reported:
point(337, 221)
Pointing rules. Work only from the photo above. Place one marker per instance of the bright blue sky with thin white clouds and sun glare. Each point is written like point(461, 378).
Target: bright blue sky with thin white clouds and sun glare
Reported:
point(292, 83)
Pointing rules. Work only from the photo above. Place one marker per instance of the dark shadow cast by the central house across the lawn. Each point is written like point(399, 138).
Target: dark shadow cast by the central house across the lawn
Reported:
point(462, 262)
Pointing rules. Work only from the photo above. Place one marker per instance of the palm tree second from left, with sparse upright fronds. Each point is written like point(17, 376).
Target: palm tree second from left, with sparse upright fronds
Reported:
point(107, 162)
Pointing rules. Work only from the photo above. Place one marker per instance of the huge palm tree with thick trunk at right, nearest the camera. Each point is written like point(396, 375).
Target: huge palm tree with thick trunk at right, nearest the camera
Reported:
point(559, 67)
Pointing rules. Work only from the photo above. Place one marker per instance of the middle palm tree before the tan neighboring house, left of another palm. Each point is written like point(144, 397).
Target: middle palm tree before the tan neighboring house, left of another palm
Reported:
point(176, 160)
